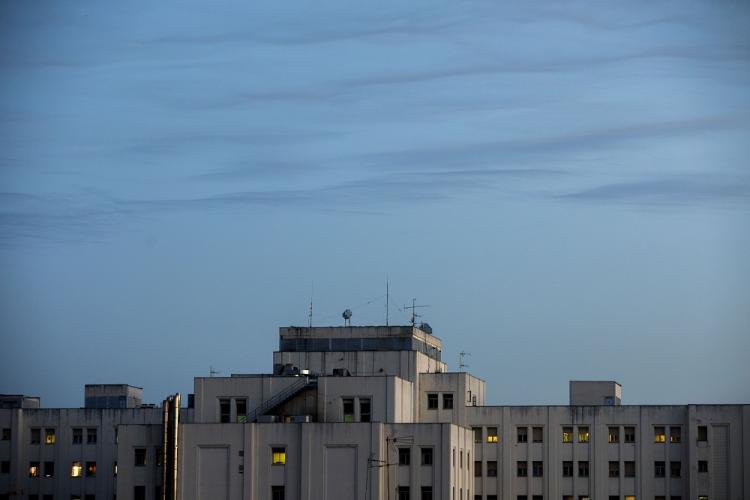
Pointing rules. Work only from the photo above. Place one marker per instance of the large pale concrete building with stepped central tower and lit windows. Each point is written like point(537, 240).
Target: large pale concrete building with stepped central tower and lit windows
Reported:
point(374, 413)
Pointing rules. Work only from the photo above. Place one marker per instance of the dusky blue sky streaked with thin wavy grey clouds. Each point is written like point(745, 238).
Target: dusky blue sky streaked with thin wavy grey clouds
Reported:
point(565, 184)
